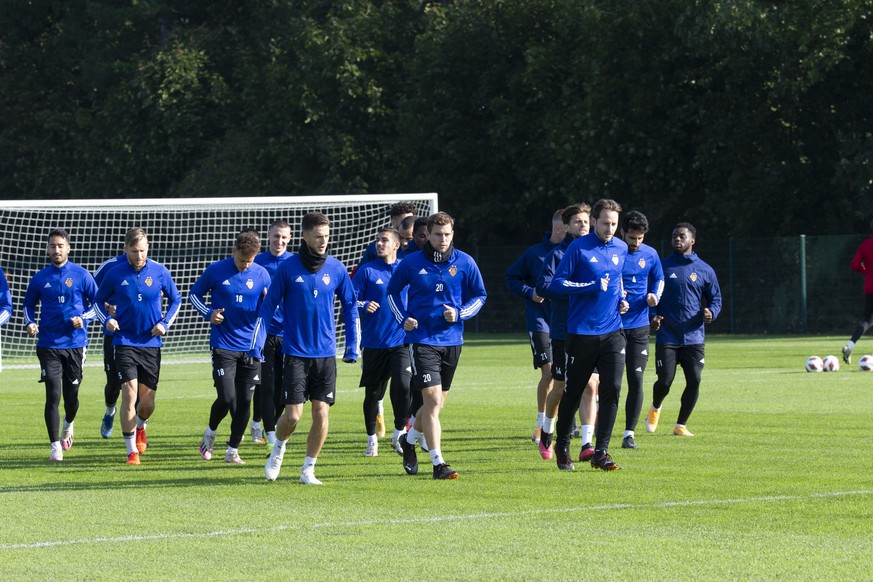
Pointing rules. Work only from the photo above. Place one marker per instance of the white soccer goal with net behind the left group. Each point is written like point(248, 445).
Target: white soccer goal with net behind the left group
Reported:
point(186, 235)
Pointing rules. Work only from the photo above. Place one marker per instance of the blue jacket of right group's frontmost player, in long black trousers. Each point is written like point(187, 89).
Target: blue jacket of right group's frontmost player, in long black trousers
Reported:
point(590, 273)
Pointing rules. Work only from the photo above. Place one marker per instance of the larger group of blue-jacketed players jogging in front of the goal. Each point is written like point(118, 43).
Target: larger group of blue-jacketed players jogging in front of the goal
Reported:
point(272, 334)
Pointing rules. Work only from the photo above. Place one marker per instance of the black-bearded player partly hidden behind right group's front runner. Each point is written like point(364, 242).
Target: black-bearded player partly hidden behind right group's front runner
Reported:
point(643, 281)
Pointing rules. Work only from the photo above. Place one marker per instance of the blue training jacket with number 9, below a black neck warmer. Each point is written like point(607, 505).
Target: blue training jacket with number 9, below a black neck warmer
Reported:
point(307, 301)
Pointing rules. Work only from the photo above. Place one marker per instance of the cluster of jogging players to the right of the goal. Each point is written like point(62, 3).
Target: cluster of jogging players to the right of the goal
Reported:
point(591, 301)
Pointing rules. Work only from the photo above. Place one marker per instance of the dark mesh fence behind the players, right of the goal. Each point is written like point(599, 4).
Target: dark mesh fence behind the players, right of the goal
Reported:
point(778, 285)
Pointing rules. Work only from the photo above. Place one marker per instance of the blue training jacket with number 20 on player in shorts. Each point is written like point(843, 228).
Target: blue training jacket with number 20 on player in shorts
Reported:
point(456, 282)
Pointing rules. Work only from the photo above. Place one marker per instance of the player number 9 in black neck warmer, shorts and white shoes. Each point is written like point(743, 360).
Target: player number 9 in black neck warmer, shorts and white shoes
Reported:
point(306, 286)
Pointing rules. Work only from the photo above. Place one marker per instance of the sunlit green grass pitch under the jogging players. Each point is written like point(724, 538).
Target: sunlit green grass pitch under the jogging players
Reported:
point(777, 483)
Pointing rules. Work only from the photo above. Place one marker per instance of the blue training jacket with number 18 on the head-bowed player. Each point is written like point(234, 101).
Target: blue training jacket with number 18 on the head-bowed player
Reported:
point(239, 293)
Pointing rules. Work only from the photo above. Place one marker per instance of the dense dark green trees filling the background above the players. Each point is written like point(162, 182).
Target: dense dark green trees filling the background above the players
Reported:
point(743, 117)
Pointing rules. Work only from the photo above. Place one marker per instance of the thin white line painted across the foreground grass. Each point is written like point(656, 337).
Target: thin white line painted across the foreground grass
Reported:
point(472, 516)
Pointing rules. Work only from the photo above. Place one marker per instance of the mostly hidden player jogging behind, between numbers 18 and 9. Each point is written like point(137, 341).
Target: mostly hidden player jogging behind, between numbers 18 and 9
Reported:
point(268, 392)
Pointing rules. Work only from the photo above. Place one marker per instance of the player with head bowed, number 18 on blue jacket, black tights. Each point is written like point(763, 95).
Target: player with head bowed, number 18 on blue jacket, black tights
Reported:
point(236, 286)
